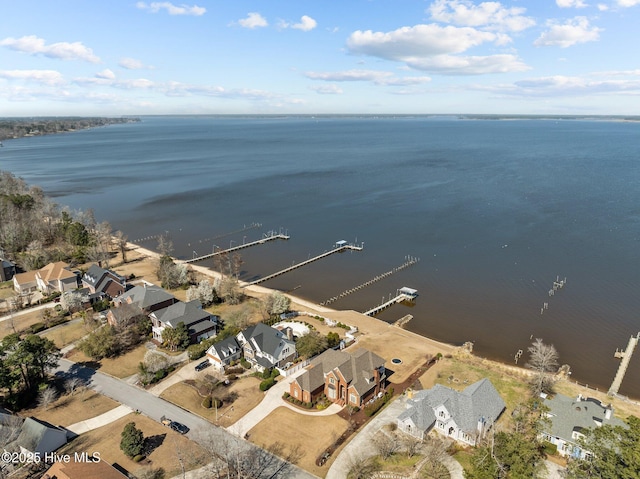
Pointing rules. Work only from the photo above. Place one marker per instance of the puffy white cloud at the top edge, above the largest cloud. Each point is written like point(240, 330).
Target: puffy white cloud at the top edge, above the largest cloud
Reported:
point(492, 15)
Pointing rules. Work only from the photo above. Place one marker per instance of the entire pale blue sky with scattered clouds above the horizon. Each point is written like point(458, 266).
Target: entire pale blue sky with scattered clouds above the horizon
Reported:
point(116, 57)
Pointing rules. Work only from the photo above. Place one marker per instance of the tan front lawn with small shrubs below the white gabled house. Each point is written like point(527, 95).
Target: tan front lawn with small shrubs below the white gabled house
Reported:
point(249, 396)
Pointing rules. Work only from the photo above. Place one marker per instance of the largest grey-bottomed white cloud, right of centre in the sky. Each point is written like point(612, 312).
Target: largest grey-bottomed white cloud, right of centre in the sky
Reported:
point(432, 48)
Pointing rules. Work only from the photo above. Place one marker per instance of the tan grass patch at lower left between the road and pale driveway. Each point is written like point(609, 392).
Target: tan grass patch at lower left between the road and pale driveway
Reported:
point(67, 410)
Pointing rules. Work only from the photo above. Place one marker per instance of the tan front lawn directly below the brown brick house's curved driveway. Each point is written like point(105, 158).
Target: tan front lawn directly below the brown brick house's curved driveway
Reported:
point(312, 435)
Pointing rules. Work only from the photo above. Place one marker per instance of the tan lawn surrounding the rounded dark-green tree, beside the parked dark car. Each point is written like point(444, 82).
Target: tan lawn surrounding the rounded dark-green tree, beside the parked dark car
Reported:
point(169, 448)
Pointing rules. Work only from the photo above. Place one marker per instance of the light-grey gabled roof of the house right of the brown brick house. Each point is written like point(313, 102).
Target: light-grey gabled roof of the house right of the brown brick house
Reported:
point(479, 401)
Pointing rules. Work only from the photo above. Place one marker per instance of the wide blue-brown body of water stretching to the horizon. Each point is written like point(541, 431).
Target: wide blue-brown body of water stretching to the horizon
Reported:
point(495, 210)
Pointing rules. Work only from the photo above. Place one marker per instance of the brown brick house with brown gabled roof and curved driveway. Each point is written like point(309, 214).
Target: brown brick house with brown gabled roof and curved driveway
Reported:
point(344, 378)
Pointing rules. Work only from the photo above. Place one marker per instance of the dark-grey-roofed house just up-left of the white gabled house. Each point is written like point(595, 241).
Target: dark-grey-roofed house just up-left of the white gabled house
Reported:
point(200, 323)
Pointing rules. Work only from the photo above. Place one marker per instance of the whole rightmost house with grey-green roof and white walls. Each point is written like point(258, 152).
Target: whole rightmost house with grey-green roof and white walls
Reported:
point(570, 417)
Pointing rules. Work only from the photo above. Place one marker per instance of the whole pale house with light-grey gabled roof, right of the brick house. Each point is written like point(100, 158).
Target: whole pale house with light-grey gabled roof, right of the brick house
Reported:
point(465, 416)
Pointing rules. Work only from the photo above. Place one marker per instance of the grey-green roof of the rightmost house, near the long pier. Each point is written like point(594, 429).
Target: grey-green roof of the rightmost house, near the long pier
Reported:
point(574, 414)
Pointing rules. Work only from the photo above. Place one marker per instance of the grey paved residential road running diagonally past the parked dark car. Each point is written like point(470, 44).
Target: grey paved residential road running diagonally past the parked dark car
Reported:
point(155, 407)
